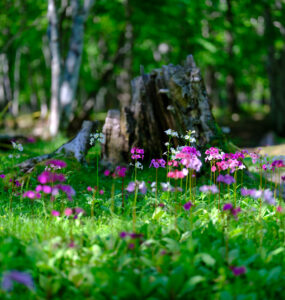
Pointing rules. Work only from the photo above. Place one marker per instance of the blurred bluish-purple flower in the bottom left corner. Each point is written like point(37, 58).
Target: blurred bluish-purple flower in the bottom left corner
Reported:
point(16, 276)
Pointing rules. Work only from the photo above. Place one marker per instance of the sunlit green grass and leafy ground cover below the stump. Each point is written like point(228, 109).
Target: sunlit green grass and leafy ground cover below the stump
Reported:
point(176, 254)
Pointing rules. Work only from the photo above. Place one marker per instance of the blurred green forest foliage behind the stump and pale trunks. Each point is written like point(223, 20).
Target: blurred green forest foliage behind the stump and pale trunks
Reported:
point(239, 46)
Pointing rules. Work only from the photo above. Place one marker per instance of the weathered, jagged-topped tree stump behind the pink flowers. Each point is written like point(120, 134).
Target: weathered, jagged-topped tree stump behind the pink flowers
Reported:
point(170, 97)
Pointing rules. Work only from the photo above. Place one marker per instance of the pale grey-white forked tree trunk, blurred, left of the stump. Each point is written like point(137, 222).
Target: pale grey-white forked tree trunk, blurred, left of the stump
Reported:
point(64, 89)
